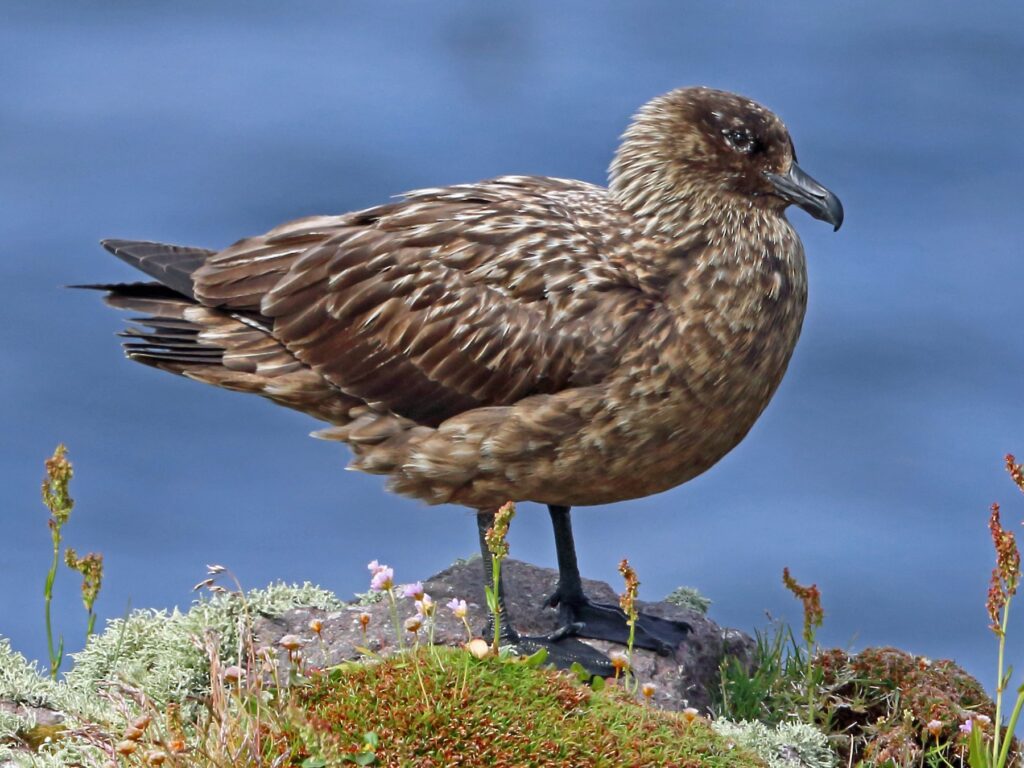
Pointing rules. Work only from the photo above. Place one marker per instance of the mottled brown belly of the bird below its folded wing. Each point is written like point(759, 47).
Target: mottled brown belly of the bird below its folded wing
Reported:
point(595, 446)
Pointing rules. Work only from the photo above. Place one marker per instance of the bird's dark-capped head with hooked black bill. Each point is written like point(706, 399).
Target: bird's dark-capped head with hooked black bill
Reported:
point(696, 151)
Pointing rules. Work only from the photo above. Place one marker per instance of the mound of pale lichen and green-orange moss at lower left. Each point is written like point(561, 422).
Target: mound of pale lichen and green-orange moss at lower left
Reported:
point(147, 692)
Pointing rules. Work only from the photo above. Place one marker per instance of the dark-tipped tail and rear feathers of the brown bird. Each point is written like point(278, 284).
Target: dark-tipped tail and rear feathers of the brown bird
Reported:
point(236, 350)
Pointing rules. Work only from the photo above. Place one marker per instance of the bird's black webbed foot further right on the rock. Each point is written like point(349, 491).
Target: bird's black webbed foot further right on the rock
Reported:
point(582, 618)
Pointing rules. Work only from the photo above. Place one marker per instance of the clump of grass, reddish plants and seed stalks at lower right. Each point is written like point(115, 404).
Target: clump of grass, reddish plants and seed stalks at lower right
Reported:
point(885, 707)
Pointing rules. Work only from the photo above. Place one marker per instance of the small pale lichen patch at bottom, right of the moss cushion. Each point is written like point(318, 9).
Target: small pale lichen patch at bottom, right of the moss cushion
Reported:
point(785, 746)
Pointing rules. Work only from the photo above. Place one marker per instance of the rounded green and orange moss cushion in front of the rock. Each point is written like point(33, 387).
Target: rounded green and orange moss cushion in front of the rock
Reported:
point(452, 710)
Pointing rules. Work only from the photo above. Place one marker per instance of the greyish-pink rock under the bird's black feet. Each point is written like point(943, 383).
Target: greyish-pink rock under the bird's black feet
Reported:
point(690, 678)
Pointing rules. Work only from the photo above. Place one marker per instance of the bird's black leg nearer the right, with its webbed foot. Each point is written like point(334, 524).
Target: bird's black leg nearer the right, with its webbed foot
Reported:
point(583, 618)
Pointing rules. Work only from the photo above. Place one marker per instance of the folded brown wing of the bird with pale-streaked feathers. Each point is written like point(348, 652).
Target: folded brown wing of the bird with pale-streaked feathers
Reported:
point(452, 300)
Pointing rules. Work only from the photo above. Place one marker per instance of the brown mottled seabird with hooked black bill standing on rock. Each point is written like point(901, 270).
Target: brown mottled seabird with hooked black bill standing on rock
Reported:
point(525, 338)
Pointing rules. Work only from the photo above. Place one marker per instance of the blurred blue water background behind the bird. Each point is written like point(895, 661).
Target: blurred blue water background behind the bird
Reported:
point(870, 475)
